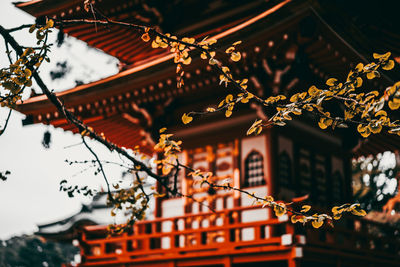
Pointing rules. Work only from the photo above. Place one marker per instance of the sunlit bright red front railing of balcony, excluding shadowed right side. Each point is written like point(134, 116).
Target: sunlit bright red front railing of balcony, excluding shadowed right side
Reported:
point(208, 233)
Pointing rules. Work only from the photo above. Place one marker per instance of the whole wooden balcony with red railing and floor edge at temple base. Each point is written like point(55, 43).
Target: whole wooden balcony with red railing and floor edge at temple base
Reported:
point(220, 239)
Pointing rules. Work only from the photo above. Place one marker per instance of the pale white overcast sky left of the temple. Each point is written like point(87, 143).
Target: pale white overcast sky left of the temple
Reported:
point(30, 196)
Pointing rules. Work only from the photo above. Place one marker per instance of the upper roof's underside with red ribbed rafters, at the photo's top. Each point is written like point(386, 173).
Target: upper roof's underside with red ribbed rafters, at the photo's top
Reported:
point(126, 44)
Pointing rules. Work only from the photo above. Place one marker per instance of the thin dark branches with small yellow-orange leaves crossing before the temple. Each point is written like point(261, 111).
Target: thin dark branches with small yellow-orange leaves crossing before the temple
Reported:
point(364, 109)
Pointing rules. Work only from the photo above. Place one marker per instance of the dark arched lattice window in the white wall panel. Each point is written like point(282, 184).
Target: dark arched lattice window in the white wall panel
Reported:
point(254, 170)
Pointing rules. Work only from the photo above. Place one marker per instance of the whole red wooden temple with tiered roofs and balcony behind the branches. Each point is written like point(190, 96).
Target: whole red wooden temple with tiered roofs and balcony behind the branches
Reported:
point(287, 46)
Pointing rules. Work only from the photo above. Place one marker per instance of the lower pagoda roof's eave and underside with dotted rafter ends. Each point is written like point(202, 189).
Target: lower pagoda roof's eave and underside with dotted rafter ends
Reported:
point(286, 35)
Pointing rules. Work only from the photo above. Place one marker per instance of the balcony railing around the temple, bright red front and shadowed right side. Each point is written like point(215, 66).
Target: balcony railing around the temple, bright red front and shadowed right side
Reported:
point(224, 233)
